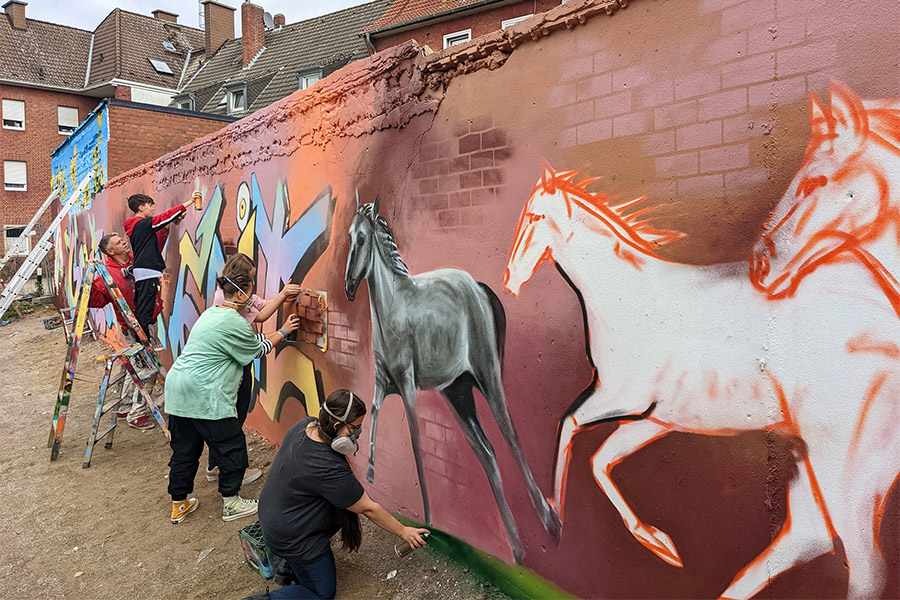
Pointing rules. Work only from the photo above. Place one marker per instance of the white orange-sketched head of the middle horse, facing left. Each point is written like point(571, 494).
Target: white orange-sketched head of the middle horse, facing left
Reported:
point(534, 234)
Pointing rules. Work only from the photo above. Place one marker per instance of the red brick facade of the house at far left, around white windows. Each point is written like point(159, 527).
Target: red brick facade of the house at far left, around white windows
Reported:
point(33, 146)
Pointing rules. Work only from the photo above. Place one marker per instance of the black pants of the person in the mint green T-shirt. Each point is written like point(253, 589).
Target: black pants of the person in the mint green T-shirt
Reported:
point(226, 444)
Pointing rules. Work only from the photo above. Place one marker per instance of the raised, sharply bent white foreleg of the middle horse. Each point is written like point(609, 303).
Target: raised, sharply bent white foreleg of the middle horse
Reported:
point(622, 443)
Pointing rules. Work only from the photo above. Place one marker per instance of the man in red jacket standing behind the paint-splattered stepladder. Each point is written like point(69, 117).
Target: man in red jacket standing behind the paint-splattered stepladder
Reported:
point(133, 408)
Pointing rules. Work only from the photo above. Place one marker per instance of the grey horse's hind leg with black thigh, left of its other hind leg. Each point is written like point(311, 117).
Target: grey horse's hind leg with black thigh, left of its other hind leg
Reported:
point(461, 399)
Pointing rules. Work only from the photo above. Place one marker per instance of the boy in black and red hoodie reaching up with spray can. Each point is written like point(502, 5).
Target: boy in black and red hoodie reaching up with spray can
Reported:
point(147, 233)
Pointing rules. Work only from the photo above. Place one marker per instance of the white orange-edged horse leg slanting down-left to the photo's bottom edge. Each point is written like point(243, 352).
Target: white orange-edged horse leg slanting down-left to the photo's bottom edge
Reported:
point(806, 534)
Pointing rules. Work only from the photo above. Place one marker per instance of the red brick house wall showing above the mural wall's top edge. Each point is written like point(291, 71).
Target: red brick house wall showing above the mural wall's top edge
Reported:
point(432, 34)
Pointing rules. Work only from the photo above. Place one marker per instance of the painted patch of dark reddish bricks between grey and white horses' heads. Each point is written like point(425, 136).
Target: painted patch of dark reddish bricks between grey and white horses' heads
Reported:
point(454, 178)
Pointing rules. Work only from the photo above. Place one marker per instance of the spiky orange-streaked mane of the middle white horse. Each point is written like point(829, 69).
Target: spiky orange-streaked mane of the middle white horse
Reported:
point(634, 223)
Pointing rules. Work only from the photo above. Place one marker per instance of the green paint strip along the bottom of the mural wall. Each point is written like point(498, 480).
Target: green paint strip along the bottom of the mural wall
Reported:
point(515, 581)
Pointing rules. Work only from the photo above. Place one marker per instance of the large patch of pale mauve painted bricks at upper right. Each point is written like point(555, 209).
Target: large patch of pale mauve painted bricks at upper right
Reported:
point(697, 122)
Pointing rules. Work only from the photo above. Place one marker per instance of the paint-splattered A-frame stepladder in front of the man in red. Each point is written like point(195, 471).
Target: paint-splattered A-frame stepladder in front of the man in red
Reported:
point(57, 424)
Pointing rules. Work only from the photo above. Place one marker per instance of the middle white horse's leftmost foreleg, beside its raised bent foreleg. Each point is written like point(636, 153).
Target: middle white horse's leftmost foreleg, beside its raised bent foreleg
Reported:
point(587, 411)
